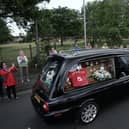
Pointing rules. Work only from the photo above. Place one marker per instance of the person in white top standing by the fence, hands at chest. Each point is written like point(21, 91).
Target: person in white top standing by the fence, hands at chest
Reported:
point(23, 66)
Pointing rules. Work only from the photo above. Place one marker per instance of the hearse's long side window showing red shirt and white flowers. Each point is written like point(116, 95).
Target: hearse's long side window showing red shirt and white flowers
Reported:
point(85, 73)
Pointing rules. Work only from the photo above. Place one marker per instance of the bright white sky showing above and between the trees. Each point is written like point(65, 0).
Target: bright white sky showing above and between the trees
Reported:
point(73, 4)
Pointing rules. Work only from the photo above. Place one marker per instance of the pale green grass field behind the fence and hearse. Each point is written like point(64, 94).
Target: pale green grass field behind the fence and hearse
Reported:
point(9, 52)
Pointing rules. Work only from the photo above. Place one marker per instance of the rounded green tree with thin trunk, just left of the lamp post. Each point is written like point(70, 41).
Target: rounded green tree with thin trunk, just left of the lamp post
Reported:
point(66, 23)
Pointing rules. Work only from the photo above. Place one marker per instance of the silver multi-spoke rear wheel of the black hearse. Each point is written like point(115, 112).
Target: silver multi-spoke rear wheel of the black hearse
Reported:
point(88, 112)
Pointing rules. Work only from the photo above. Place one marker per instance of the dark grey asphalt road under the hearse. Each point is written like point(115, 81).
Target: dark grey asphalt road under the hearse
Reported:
point(19, 114)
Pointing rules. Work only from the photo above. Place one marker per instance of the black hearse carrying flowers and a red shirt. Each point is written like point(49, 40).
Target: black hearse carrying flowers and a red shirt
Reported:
point(80, 80)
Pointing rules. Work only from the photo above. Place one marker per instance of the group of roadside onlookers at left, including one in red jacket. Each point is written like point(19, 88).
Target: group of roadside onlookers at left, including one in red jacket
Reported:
point(8, 79)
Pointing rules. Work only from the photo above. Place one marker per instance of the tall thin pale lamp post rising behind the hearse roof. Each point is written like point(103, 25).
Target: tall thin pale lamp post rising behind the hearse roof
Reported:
point(84, 14)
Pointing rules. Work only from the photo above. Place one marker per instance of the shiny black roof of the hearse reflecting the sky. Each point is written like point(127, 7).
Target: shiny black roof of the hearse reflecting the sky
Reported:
point(91, 52)
